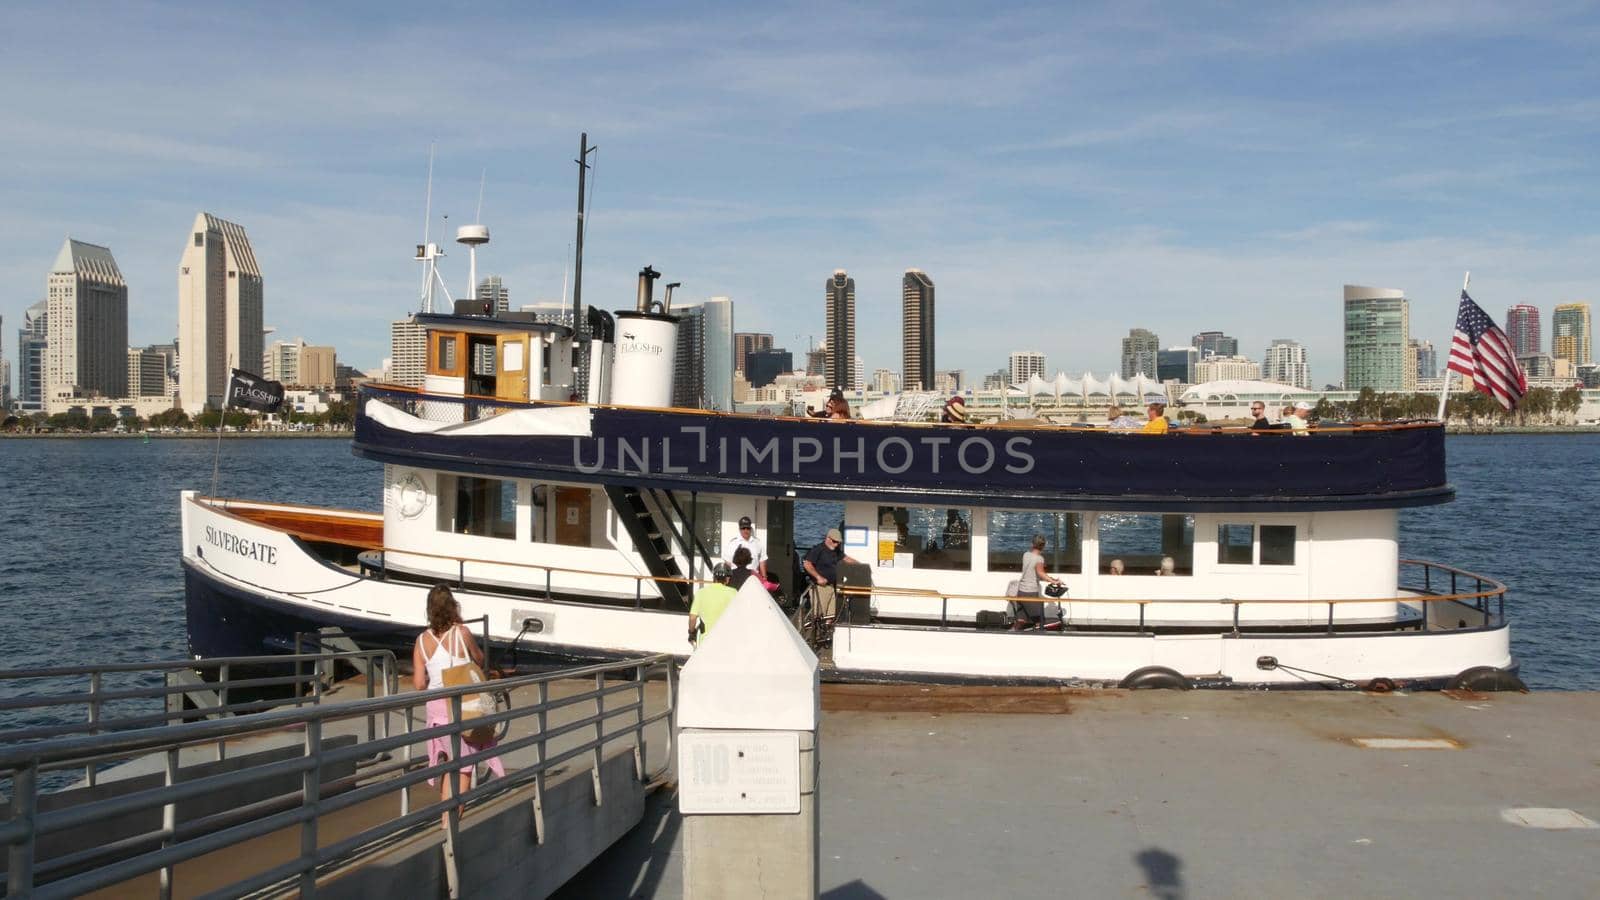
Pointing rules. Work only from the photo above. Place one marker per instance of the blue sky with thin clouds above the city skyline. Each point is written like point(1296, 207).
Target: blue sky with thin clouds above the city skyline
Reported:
point(1062, 174)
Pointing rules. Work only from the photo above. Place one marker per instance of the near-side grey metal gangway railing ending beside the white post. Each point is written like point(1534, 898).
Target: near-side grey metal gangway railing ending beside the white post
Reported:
point(390, 769)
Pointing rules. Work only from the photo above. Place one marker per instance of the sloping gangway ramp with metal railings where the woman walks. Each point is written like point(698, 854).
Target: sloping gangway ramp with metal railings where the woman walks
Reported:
point(327, 794)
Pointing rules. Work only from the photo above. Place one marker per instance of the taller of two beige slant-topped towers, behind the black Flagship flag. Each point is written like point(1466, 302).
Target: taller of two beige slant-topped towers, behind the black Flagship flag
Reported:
point(220, 311)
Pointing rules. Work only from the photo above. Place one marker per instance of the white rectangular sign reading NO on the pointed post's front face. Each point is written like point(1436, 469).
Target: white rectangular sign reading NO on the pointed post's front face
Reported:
point(738, 773)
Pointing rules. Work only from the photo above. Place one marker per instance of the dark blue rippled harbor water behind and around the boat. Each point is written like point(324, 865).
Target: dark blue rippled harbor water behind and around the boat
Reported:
point(89, 540)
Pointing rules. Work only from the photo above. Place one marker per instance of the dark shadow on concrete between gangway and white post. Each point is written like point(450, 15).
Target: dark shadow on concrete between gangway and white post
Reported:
point(641, 862)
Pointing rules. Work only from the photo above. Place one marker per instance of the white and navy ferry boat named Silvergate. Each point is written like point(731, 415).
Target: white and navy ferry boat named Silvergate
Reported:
point(580, 531)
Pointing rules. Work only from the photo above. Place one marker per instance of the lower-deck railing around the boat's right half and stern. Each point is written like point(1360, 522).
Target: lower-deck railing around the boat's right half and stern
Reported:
point(1487, 598)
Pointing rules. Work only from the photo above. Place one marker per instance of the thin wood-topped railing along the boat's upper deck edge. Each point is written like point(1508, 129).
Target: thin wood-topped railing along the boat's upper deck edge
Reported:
point(433, 406)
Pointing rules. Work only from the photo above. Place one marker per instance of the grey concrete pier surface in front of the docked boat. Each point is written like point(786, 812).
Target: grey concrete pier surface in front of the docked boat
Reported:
point(1110, 794)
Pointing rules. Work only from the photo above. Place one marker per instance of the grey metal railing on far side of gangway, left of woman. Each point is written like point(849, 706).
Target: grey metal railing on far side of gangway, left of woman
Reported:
point(118, 697)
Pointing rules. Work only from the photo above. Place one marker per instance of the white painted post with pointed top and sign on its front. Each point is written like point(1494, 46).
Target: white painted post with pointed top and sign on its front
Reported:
point(750, 707)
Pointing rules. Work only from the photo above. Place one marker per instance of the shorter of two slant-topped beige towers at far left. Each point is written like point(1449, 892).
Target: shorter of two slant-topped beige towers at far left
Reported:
point(89, 324)
